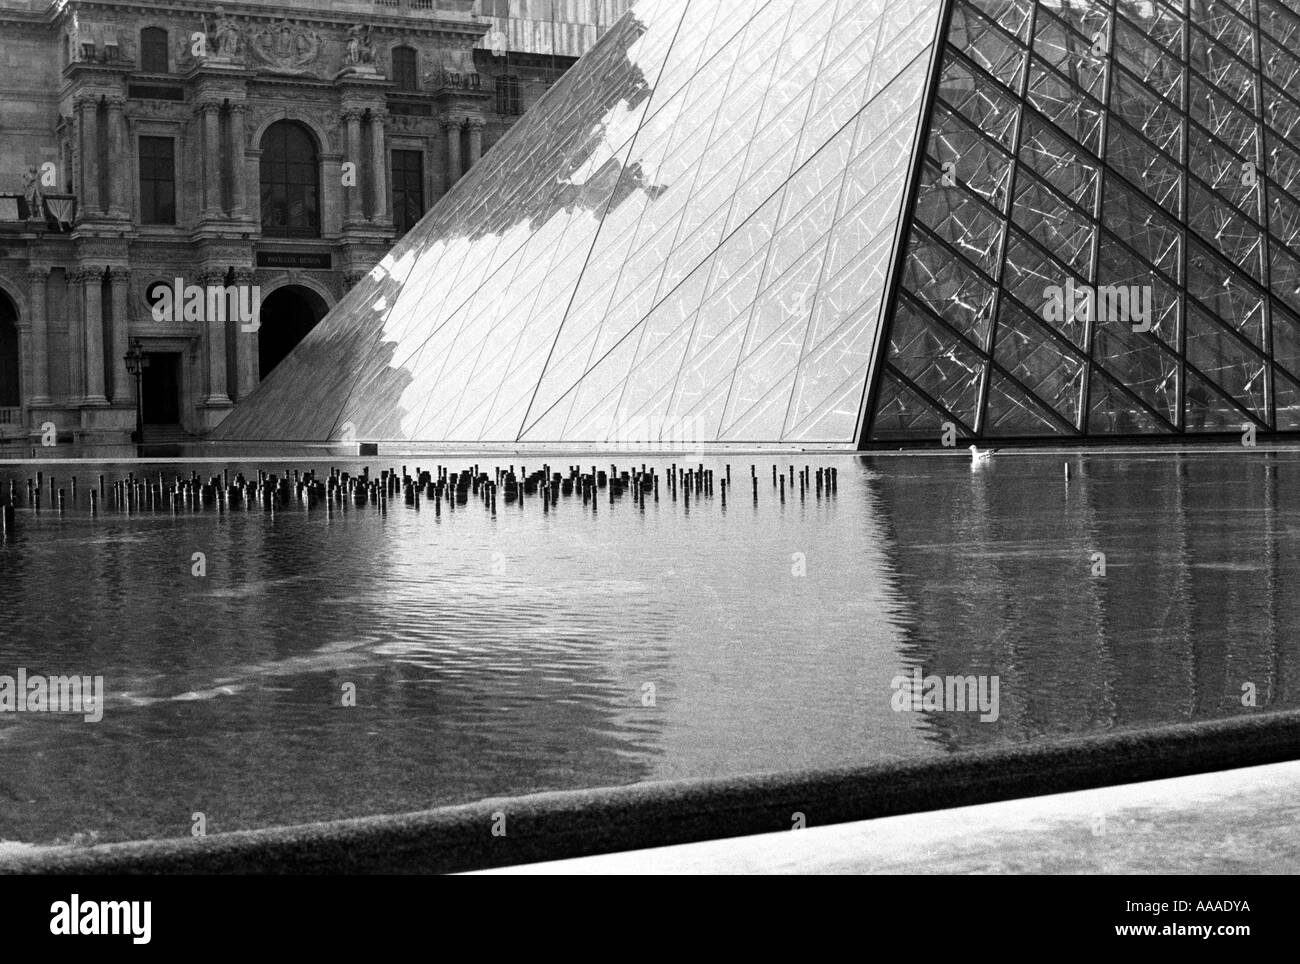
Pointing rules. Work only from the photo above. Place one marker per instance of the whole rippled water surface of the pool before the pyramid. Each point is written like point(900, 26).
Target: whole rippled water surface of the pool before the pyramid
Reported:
point(527, 652)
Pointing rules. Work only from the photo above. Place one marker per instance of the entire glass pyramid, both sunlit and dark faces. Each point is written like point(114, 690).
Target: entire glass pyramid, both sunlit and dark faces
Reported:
point(808, 223)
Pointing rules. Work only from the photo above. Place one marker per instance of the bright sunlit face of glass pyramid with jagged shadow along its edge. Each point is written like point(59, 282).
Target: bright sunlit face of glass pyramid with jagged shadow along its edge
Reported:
point(687, 240)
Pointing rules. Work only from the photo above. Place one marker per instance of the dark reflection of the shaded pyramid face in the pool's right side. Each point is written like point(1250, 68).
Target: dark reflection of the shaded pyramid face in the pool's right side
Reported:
point(1190, 615)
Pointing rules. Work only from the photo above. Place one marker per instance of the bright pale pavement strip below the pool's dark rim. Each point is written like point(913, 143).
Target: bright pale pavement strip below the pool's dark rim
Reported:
point(1232, 822)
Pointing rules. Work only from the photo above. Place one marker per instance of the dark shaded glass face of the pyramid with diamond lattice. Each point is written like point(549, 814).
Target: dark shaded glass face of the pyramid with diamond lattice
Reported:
point(1129, 147)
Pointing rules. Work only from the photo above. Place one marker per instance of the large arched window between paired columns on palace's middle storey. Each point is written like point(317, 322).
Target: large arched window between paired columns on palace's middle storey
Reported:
point(291, 183)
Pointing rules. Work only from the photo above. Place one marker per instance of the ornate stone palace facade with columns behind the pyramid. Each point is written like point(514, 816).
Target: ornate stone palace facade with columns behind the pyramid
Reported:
point(276, 147)
